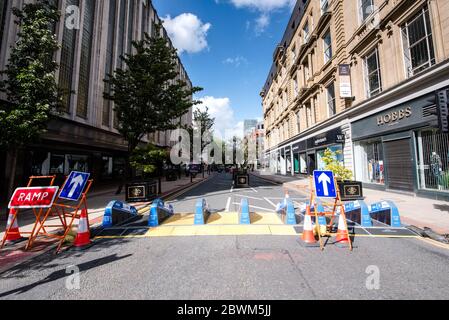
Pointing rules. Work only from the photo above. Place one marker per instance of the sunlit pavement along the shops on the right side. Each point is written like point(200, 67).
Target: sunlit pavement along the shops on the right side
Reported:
point(420, 212)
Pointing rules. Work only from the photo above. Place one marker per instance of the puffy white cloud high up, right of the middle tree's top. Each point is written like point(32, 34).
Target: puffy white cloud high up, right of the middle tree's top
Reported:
point(187, 32)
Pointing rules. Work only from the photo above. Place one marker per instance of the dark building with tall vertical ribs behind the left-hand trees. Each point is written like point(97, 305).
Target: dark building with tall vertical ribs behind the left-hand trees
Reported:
point(84, 136)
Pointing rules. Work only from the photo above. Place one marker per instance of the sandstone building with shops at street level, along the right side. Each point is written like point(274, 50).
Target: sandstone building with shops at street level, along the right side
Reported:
point(361, 77)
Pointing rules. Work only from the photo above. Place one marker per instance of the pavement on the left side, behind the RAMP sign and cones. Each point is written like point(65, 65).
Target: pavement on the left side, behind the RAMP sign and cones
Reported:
point(98, 200)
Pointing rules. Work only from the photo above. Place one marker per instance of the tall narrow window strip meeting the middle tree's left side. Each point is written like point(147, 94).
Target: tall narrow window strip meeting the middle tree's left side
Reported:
point(109, 60)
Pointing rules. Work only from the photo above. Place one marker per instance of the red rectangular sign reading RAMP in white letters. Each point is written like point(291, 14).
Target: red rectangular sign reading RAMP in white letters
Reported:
point(34, 197)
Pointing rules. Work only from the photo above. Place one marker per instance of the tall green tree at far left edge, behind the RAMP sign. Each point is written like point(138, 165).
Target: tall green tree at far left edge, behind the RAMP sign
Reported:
point(30, 83)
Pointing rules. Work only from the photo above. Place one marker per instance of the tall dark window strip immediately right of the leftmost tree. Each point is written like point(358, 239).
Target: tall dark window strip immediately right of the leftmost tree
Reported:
point(67, 61)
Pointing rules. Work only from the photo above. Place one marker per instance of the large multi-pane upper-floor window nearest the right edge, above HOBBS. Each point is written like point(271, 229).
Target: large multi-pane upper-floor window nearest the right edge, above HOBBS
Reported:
point(418, 43)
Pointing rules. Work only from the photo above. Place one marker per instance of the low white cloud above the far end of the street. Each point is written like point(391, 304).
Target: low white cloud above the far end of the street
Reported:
point(225, 123)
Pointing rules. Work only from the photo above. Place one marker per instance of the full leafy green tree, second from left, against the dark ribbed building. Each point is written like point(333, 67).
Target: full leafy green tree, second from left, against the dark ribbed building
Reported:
point(146, 93)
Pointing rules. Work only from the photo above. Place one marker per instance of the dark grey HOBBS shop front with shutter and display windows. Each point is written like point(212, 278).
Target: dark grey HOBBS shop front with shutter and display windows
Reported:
point(402, 149)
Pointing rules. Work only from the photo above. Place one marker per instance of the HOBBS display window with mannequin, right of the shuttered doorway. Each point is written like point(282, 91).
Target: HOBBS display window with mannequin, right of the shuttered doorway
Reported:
point(433, 160)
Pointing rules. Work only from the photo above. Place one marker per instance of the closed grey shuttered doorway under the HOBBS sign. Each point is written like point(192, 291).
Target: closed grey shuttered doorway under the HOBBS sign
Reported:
point(399, 165)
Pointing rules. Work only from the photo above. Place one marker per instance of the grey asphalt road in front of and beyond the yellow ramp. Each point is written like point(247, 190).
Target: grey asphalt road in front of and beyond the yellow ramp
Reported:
point(234, 267)
